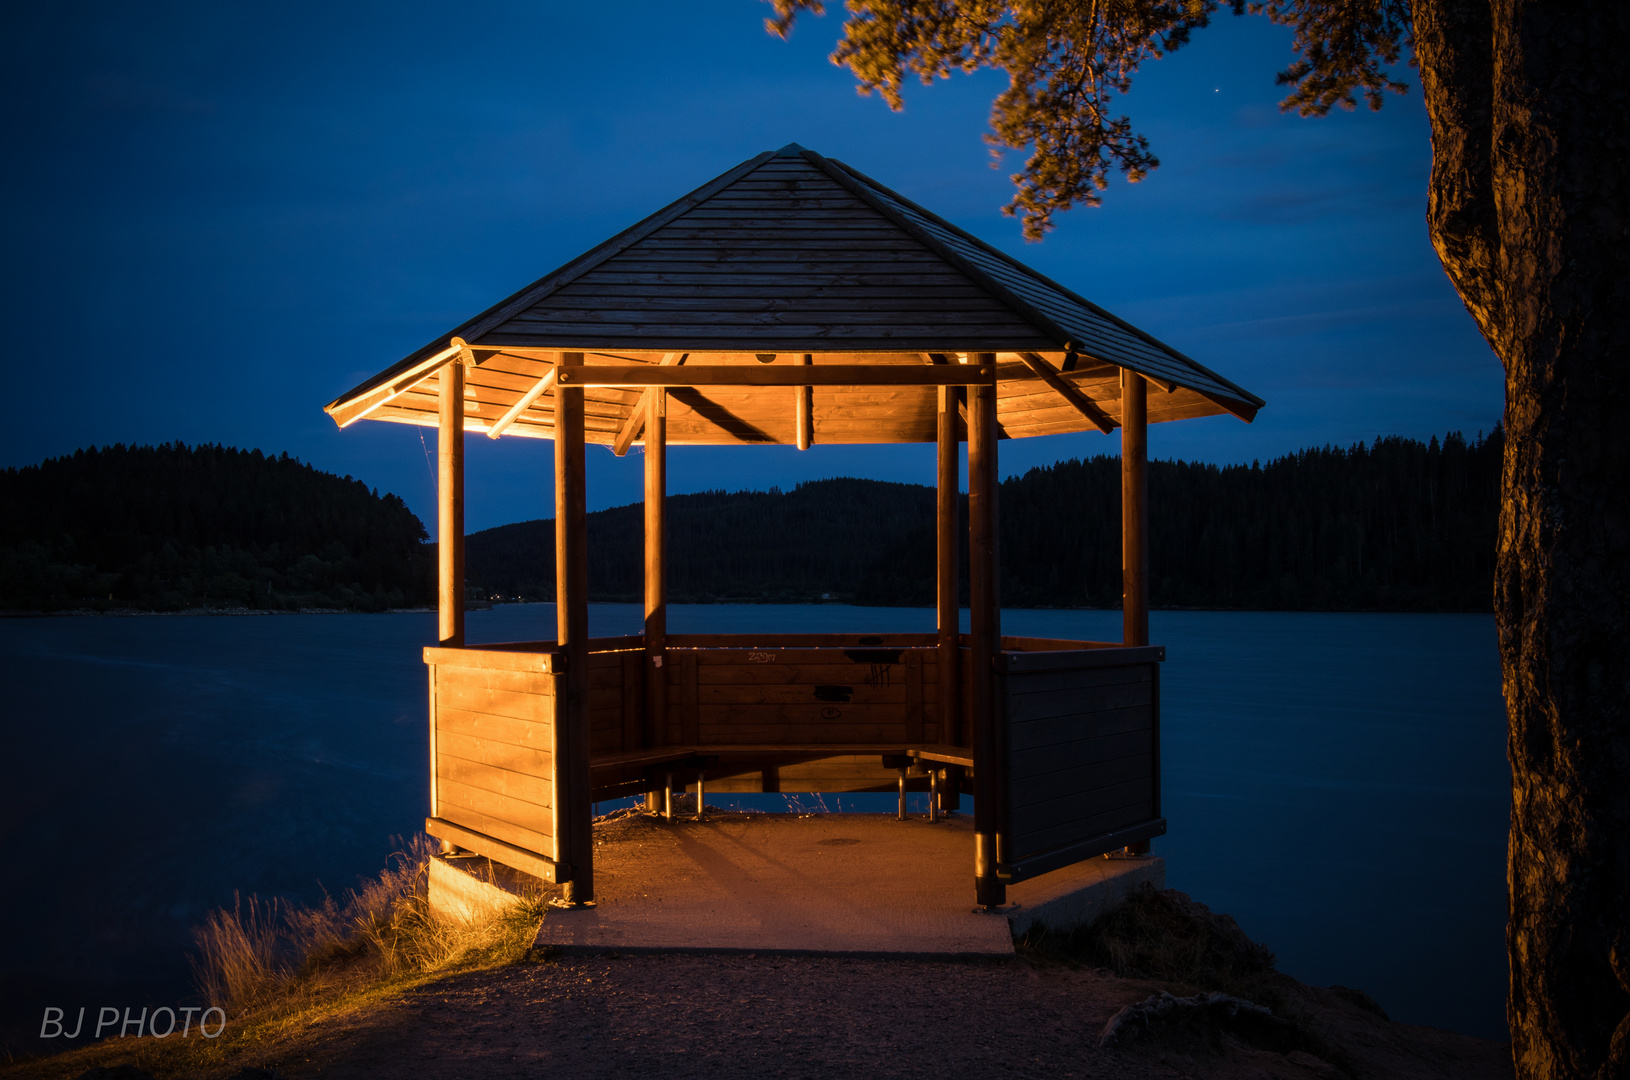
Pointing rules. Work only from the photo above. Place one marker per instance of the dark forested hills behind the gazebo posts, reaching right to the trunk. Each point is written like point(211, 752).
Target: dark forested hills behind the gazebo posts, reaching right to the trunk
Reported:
point(1396, 525)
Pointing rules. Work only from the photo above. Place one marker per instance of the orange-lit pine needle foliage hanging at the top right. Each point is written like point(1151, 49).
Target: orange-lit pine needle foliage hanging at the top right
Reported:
point(1070, 61)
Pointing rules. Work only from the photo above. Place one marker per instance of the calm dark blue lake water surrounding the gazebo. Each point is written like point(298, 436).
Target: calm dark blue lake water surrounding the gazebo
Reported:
point(1337, 783)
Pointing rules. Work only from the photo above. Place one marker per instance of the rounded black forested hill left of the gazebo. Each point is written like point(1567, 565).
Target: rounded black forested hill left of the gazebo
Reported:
point(172, 527)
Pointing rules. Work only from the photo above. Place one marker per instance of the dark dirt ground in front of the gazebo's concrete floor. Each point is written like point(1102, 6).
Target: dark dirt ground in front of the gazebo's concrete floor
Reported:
point(772, 1017)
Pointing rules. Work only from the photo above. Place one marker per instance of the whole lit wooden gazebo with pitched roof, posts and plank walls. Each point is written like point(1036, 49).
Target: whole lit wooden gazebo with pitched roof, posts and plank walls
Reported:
point(795, 301)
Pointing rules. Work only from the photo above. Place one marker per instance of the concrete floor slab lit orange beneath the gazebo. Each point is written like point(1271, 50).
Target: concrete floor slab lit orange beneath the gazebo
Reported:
point(850, 885)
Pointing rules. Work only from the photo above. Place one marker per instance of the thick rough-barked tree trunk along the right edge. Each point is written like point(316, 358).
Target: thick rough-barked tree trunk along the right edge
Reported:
point(1530, 213)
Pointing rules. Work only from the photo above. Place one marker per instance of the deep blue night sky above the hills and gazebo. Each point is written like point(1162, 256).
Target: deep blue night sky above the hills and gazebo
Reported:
point(219, 217)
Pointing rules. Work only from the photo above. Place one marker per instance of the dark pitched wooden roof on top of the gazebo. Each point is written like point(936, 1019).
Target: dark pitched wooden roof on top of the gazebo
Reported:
point(795, 253)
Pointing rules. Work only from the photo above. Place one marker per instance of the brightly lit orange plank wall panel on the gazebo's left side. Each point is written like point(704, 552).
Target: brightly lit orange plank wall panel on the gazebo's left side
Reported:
point(495, 775)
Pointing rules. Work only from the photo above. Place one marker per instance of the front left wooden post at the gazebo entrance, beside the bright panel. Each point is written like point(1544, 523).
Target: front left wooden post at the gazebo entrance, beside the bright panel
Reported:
point(571, 617)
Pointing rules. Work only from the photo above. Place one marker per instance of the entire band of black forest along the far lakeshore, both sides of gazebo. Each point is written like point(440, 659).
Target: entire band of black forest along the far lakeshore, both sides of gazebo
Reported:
point(1396, 525)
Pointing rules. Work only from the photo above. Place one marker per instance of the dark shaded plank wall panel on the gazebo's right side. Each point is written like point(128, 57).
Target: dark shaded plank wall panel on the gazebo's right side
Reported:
point(1083, 758)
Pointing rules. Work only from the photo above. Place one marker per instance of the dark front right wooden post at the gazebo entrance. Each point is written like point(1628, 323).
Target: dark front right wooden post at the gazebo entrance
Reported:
point(985, 639)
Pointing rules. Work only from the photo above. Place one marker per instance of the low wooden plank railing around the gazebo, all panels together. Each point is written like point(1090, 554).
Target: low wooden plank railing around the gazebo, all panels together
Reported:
point(796, 713)
